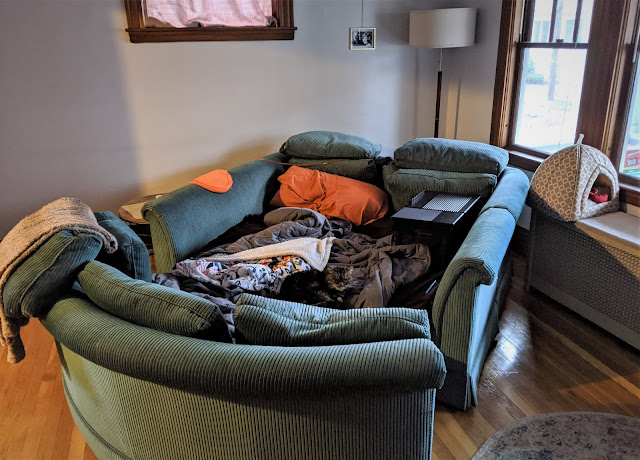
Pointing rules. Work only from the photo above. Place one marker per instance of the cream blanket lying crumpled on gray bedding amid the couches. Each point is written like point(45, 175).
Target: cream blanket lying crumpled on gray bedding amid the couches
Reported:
point(313, 250)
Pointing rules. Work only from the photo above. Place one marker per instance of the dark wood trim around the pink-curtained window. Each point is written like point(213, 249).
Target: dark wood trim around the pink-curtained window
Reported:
point(138, 33)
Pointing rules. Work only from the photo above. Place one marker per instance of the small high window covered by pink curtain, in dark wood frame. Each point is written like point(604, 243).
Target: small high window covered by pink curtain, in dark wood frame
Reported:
point(209, 20)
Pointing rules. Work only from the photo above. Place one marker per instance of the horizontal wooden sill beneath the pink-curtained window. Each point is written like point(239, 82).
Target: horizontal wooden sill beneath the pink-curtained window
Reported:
point(190, 34)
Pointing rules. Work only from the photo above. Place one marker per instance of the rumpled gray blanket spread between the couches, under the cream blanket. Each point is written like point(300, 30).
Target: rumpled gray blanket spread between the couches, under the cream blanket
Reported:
point(379, 265)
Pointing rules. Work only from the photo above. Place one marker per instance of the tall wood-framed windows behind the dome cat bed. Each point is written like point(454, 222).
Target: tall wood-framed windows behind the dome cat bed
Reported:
point(567, 67)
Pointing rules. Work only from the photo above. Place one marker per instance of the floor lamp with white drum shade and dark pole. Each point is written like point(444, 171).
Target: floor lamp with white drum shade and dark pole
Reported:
point(443, 28)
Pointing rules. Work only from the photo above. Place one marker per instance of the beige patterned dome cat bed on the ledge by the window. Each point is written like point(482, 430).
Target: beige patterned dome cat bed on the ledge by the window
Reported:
point(560, 186)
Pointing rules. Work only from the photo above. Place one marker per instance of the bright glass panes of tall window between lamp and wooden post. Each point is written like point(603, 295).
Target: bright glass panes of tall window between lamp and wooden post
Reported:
point(553, 54)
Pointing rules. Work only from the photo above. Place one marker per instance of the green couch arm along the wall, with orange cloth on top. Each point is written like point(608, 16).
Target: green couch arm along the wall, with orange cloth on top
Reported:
point(188, 218)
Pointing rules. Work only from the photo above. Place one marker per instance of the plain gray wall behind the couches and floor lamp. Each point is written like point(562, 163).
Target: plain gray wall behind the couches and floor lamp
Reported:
point(90, 115)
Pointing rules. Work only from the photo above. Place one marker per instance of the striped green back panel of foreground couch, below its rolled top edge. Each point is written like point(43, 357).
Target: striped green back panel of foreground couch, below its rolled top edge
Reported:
point(351, 424)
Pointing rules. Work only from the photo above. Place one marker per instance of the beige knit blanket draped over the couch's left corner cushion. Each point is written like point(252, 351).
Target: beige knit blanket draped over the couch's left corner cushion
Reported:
point(25, 238)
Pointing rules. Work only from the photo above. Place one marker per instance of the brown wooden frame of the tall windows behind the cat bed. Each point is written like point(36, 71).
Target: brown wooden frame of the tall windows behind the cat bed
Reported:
point(608, 81)
